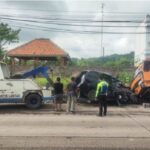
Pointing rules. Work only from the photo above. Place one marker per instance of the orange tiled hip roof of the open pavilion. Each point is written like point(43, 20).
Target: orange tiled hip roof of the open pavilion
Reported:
point(37, 48)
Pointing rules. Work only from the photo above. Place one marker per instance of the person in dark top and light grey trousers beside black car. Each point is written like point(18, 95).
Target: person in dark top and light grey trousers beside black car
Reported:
point(72, 95)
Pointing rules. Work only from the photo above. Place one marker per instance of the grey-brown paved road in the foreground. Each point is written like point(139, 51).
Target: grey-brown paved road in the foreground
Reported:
point(125, 128)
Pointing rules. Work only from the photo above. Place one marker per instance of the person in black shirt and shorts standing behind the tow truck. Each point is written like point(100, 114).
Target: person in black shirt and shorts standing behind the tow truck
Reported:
point(58, 92)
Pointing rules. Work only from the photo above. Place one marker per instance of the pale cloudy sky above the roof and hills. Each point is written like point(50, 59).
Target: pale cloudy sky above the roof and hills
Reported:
point(48, 19)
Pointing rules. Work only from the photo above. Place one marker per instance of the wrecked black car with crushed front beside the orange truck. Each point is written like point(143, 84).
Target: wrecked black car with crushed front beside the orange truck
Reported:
point(118, 93)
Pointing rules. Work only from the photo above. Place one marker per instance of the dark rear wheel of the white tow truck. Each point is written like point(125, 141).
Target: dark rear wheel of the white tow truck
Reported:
point(33, 101)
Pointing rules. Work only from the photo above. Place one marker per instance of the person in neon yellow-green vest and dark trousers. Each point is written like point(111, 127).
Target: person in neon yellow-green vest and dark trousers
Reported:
point(101, 96)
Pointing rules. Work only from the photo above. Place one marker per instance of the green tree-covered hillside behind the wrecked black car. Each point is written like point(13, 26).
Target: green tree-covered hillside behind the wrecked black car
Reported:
point(113, 61)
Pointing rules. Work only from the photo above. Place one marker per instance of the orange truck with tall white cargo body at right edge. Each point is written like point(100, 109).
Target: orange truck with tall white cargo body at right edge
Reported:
point(140, 84)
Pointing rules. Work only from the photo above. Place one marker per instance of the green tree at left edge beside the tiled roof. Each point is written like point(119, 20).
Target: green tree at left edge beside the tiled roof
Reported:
point(7, 36)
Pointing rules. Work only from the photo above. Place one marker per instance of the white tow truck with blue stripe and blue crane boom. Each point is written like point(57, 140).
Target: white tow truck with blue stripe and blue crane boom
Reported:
point(23, 90)
